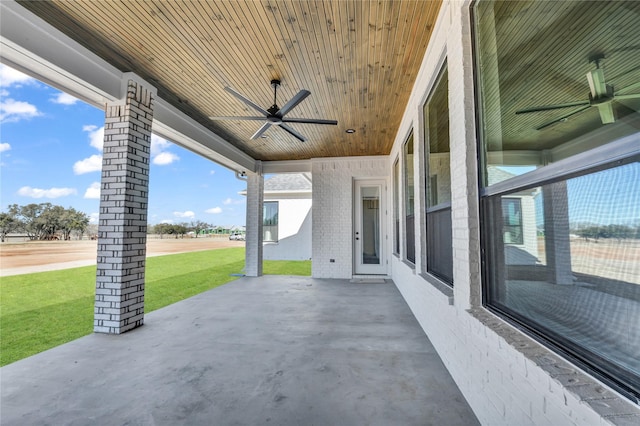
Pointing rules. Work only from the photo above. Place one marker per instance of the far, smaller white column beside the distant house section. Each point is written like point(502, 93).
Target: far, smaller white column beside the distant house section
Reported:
point(255, 201)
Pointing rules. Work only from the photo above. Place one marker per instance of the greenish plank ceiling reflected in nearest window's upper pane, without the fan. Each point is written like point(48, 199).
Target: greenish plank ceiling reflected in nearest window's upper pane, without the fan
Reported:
point(543, 54)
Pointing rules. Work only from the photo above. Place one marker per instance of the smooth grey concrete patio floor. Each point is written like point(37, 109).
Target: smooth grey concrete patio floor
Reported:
point(273, 350)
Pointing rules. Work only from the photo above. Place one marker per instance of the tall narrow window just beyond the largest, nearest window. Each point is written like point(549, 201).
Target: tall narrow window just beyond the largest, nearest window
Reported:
point(438, 181)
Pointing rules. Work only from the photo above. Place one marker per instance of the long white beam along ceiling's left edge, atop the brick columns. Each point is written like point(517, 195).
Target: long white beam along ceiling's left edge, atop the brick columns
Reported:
point(32, 46)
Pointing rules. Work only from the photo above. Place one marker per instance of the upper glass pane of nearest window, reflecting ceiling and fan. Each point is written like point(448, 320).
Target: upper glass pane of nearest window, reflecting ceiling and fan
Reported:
point(556, 78)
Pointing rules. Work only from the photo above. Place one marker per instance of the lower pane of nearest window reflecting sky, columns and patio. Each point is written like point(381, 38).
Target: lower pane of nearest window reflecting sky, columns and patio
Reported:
point(569, 261)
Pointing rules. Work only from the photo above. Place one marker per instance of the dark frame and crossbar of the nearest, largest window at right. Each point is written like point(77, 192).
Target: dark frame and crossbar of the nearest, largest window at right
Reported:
point(618, 152)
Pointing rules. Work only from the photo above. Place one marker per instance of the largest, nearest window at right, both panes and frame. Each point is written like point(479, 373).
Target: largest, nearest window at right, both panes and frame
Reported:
point(559, 96)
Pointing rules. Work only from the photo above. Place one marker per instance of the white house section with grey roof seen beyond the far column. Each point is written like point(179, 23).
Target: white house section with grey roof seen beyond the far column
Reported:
point(287, 217)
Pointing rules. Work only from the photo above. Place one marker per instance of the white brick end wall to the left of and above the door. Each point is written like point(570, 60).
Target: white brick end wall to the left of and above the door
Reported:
point(332, 211)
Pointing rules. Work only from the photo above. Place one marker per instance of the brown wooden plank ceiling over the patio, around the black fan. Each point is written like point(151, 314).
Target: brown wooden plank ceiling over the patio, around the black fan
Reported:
point(359, 59)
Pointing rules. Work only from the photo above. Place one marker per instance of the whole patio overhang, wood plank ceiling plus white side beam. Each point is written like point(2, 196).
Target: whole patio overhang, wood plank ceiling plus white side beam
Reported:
point(358, 59)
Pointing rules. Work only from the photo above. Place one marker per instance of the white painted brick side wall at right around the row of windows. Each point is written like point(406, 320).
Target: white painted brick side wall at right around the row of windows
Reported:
point(507, 378)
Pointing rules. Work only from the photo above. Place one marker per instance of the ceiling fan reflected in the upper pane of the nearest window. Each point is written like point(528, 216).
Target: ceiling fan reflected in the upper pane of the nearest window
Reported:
point(601, 96)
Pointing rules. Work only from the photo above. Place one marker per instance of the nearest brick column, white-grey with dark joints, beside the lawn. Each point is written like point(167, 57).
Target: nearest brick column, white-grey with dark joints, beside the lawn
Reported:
point(122, 229)
